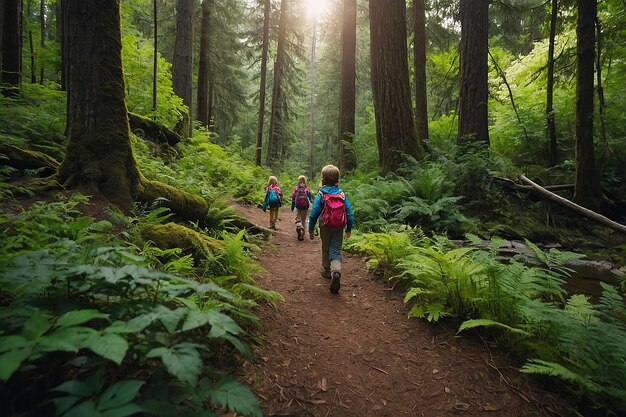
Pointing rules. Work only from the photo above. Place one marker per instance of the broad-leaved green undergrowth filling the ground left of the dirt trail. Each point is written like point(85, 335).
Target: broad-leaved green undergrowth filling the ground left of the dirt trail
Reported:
point(97, 321)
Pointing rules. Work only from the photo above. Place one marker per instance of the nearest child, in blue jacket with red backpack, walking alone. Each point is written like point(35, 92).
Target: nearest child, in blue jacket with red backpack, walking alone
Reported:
point(336, 214)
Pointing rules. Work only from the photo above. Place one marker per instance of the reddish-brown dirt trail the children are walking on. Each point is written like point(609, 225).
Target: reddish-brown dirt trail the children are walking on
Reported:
point(357, 353)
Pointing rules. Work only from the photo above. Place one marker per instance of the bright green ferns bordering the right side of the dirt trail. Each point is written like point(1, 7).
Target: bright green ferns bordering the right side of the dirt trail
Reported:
point(567, 338)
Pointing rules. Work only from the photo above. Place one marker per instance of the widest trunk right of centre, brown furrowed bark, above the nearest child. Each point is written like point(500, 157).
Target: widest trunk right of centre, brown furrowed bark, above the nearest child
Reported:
point(395, 126)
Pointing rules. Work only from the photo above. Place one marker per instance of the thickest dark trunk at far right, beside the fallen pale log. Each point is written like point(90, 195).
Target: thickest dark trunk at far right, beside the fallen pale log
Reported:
point(588, 192)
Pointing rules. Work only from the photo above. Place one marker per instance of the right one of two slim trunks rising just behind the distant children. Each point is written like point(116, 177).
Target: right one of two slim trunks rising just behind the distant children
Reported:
point(275, 136)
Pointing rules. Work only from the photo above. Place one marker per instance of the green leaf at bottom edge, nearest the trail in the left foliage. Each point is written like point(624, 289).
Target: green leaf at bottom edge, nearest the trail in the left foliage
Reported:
point(236, 397)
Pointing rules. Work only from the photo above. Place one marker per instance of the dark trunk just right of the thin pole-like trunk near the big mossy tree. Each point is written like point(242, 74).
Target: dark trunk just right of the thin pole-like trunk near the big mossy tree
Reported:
point(182, 67)
